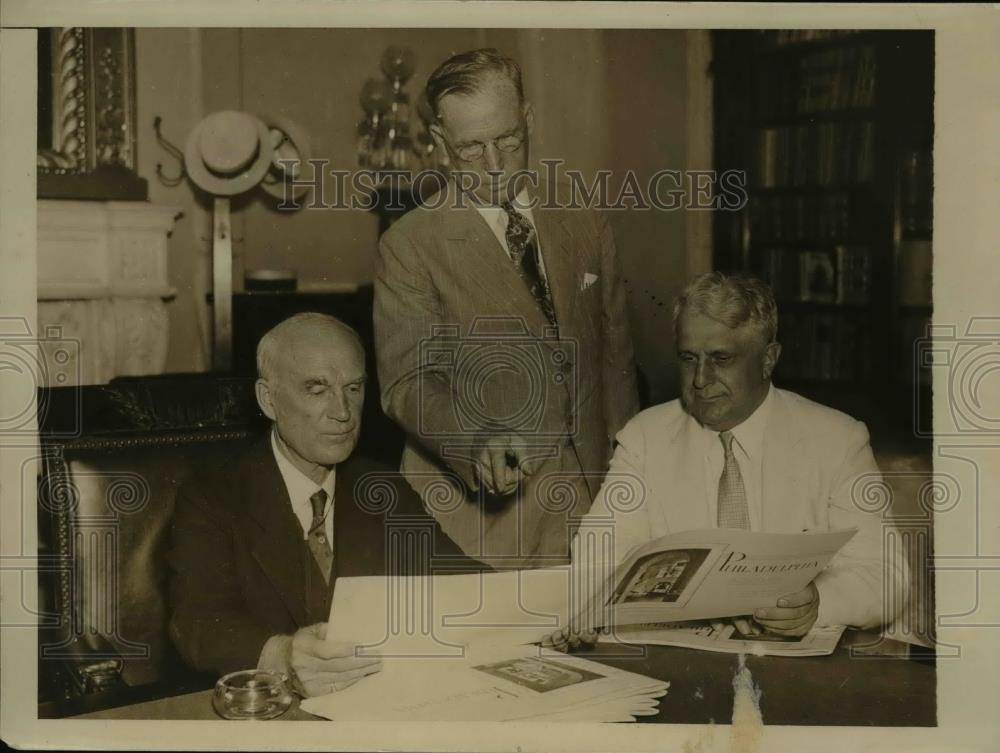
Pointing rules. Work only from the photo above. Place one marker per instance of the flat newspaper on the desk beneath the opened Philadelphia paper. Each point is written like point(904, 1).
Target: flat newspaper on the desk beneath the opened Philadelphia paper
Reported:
point(715, 635)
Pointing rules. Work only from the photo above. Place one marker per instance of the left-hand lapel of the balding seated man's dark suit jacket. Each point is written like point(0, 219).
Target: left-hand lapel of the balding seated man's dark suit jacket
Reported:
point(273, 532)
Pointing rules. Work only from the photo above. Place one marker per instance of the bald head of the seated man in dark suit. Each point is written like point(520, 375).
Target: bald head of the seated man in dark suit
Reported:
point(312, 386)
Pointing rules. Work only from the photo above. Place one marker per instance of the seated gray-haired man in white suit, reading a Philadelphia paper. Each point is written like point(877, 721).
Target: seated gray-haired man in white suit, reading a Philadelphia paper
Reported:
point(736, 452)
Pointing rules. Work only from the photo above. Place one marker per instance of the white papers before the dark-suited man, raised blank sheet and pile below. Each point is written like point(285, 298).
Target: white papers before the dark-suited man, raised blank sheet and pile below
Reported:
point(453, 649)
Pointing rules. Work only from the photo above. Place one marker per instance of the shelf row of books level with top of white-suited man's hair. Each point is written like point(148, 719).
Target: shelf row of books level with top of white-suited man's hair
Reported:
point(843, 275)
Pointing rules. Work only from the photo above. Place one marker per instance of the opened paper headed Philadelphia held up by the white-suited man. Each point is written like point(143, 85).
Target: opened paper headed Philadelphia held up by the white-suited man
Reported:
point(697, 575)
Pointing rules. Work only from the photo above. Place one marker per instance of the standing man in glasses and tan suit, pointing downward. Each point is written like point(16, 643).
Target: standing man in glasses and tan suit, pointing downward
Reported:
point(501, 331)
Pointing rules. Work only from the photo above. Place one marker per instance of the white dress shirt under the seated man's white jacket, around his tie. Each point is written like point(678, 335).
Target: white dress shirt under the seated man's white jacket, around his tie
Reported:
point(748, 447)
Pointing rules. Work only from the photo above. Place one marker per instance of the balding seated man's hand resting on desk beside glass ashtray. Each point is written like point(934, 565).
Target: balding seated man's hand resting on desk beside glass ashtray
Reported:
point(319, 667)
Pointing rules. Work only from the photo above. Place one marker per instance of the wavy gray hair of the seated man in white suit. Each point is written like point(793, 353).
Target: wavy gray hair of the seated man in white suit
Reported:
point(735, 300)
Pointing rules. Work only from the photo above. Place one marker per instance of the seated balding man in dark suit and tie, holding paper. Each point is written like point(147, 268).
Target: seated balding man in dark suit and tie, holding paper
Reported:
point(258, 544)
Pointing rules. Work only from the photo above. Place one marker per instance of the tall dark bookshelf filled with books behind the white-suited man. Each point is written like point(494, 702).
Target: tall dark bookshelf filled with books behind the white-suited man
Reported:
point(834, 131)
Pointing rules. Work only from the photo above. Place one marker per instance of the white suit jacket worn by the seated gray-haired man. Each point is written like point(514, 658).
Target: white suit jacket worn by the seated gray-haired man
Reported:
point(816, 462)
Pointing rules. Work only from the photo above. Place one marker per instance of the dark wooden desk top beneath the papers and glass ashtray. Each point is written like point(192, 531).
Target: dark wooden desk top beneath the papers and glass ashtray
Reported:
point(839, 689)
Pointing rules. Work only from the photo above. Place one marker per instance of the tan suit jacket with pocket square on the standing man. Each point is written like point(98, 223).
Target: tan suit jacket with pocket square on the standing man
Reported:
point(444, 266)
